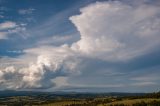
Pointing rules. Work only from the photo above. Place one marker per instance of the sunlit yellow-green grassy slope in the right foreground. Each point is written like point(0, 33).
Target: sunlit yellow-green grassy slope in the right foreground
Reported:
point(125, 102)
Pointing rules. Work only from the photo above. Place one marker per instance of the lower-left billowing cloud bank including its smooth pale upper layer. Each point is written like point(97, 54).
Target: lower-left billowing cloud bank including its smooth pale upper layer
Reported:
point(43, 72)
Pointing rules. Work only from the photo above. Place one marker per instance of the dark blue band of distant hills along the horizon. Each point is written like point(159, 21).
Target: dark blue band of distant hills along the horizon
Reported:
point(9, 93)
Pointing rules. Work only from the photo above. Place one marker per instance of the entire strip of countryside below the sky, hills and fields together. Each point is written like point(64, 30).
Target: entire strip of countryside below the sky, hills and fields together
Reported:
point(28, 98)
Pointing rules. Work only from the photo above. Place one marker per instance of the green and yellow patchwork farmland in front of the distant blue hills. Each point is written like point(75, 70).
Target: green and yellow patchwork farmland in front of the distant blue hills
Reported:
point(152, 99)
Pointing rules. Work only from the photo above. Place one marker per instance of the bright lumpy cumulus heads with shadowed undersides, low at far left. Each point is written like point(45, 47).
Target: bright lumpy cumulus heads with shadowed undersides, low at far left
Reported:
point(36, 75)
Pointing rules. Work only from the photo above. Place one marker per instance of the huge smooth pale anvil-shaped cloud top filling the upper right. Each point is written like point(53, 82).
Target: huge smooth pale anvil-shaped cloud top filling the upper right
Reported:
point(117, 31)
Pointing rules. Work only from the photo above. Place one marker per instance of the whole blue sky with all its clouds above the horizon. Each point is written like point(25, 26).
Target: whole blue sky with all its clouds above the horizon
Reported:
point(80, 45)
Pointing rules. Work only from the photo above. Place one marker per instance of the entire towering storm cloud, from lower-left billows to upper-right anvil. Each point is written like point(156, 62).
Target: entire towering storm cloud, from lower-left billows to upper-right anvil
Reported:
point(111, 31)
